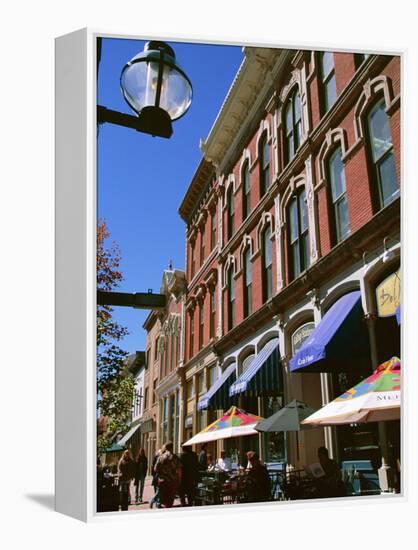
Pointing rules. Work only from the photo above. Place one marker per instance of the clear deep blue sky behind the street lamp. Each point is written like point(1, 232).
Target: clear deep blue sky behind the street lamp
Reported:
point(142, 179)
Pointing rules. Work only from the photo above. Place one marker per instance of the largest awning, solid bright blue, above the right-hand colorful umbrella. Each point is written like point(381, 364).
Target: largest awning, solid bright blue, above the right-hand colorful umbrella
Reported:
point(340, 341)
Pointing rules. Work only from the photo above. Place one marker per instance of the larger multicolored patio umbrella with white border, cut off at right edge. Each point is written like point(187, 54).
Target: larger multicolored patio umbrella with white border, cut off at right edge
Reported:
point(375, 399)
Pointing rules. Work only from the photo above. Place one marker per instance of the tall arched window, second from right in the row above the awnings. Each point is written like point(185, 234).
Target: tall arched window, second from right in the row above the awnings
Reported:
point(338, 197)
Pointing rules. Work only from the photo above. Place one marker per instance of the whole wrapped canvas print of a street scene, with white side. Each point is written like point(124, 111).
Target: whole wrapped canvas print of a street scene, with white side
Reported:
point(228, 275)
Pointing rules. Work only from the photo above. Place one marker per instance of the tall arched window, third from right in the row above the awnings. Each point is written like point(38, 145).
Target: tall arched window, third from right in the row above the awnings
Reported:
point(298, 235)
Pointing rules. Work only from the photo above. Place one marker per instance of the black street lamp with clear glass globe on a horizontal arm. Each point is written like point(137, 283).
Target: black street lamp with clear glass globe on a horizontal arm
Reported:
point(156, 88)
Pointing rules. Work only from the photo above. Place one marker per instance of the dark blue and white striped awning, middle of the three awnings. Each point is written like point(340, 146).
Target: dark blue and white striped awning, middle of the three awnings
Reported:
point(264, 373)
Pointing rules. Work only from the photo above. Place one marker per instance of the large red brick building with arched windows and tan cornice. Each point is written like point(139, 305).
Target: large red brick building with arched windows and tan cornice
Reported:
point(294, 210)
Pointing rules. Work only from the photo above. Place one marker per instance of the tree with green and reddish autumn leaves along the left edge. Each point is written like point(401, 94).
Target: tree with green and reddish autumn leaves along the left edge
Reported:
point(115, 385)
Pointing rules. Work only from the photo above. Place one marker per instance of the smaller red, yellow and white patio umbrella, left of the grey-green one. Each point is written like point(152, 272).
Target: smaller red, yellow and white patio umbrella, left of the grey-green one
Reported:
point(234, 423)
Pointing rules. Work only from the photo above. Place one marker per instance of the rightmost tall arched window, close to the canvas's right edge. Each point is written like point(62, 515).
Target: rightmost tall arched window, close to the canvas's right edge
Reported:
point(382, 160)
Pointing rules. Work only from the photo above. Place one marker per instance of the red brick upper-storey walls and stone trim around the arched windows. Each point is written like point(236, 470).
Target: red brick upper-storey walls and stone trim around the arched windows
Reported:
point(344, 125)
